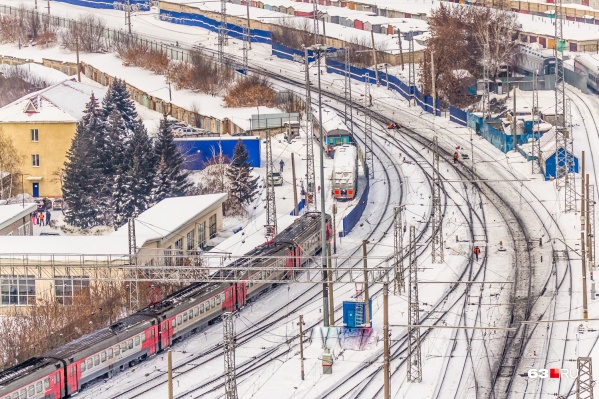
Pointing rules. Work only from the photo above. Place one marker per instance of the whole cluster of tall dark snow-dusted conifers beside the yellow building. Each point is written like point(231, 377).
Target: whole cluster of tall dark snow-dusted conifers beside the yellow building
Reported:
point(114, 170)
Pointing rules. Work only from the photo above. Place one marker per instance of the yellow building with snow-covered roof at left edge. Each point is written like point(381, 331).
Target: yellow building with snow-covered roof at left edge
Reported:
point(42, 125)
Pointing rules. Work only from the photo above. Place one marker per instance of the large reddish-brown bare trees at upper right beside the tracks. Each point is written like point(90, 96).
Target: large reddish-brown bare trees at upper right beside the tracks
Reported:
point(458, 38)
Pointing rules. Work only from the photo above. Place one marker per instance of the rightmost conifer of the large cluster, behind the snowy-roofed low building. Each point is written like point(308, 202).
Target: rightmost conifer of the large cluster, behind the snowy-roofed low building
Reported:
point(170, 180)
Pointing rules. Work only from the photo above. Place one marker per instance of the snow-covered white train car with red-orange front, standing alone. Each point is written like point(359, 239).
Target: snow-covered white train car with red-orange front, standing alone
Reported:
point(345, 172)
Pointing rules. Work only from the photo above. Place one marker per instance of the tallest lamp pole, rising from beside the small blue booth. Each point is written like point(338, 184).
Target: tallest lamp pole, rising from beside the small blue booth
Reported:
point(318, 49)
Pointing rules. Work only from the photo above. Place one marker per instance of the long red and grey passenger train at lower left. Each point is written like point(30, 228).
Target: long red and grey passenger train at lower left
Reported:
point(68, 369)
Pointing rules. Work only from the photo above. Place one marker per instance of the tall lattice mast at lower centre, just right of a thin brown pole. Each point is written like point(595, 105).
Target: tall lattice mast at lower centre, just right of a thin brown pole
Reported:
point(414, 355)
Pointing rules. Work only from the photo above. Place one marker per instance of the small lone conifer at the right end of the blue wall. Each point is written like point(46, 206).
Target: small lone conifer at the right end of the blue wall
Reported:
point(242, 186)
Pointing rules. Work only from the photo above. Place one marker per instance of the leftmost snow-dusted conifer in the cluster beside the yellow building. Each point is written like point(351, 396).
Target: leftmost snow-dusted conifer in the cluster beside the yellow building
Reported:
point(82, 172)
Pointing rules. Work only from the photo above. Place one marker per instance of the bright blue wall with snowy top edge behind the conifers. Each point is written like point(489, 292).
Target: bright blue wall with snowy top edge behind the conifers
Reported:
point(197, 151)
